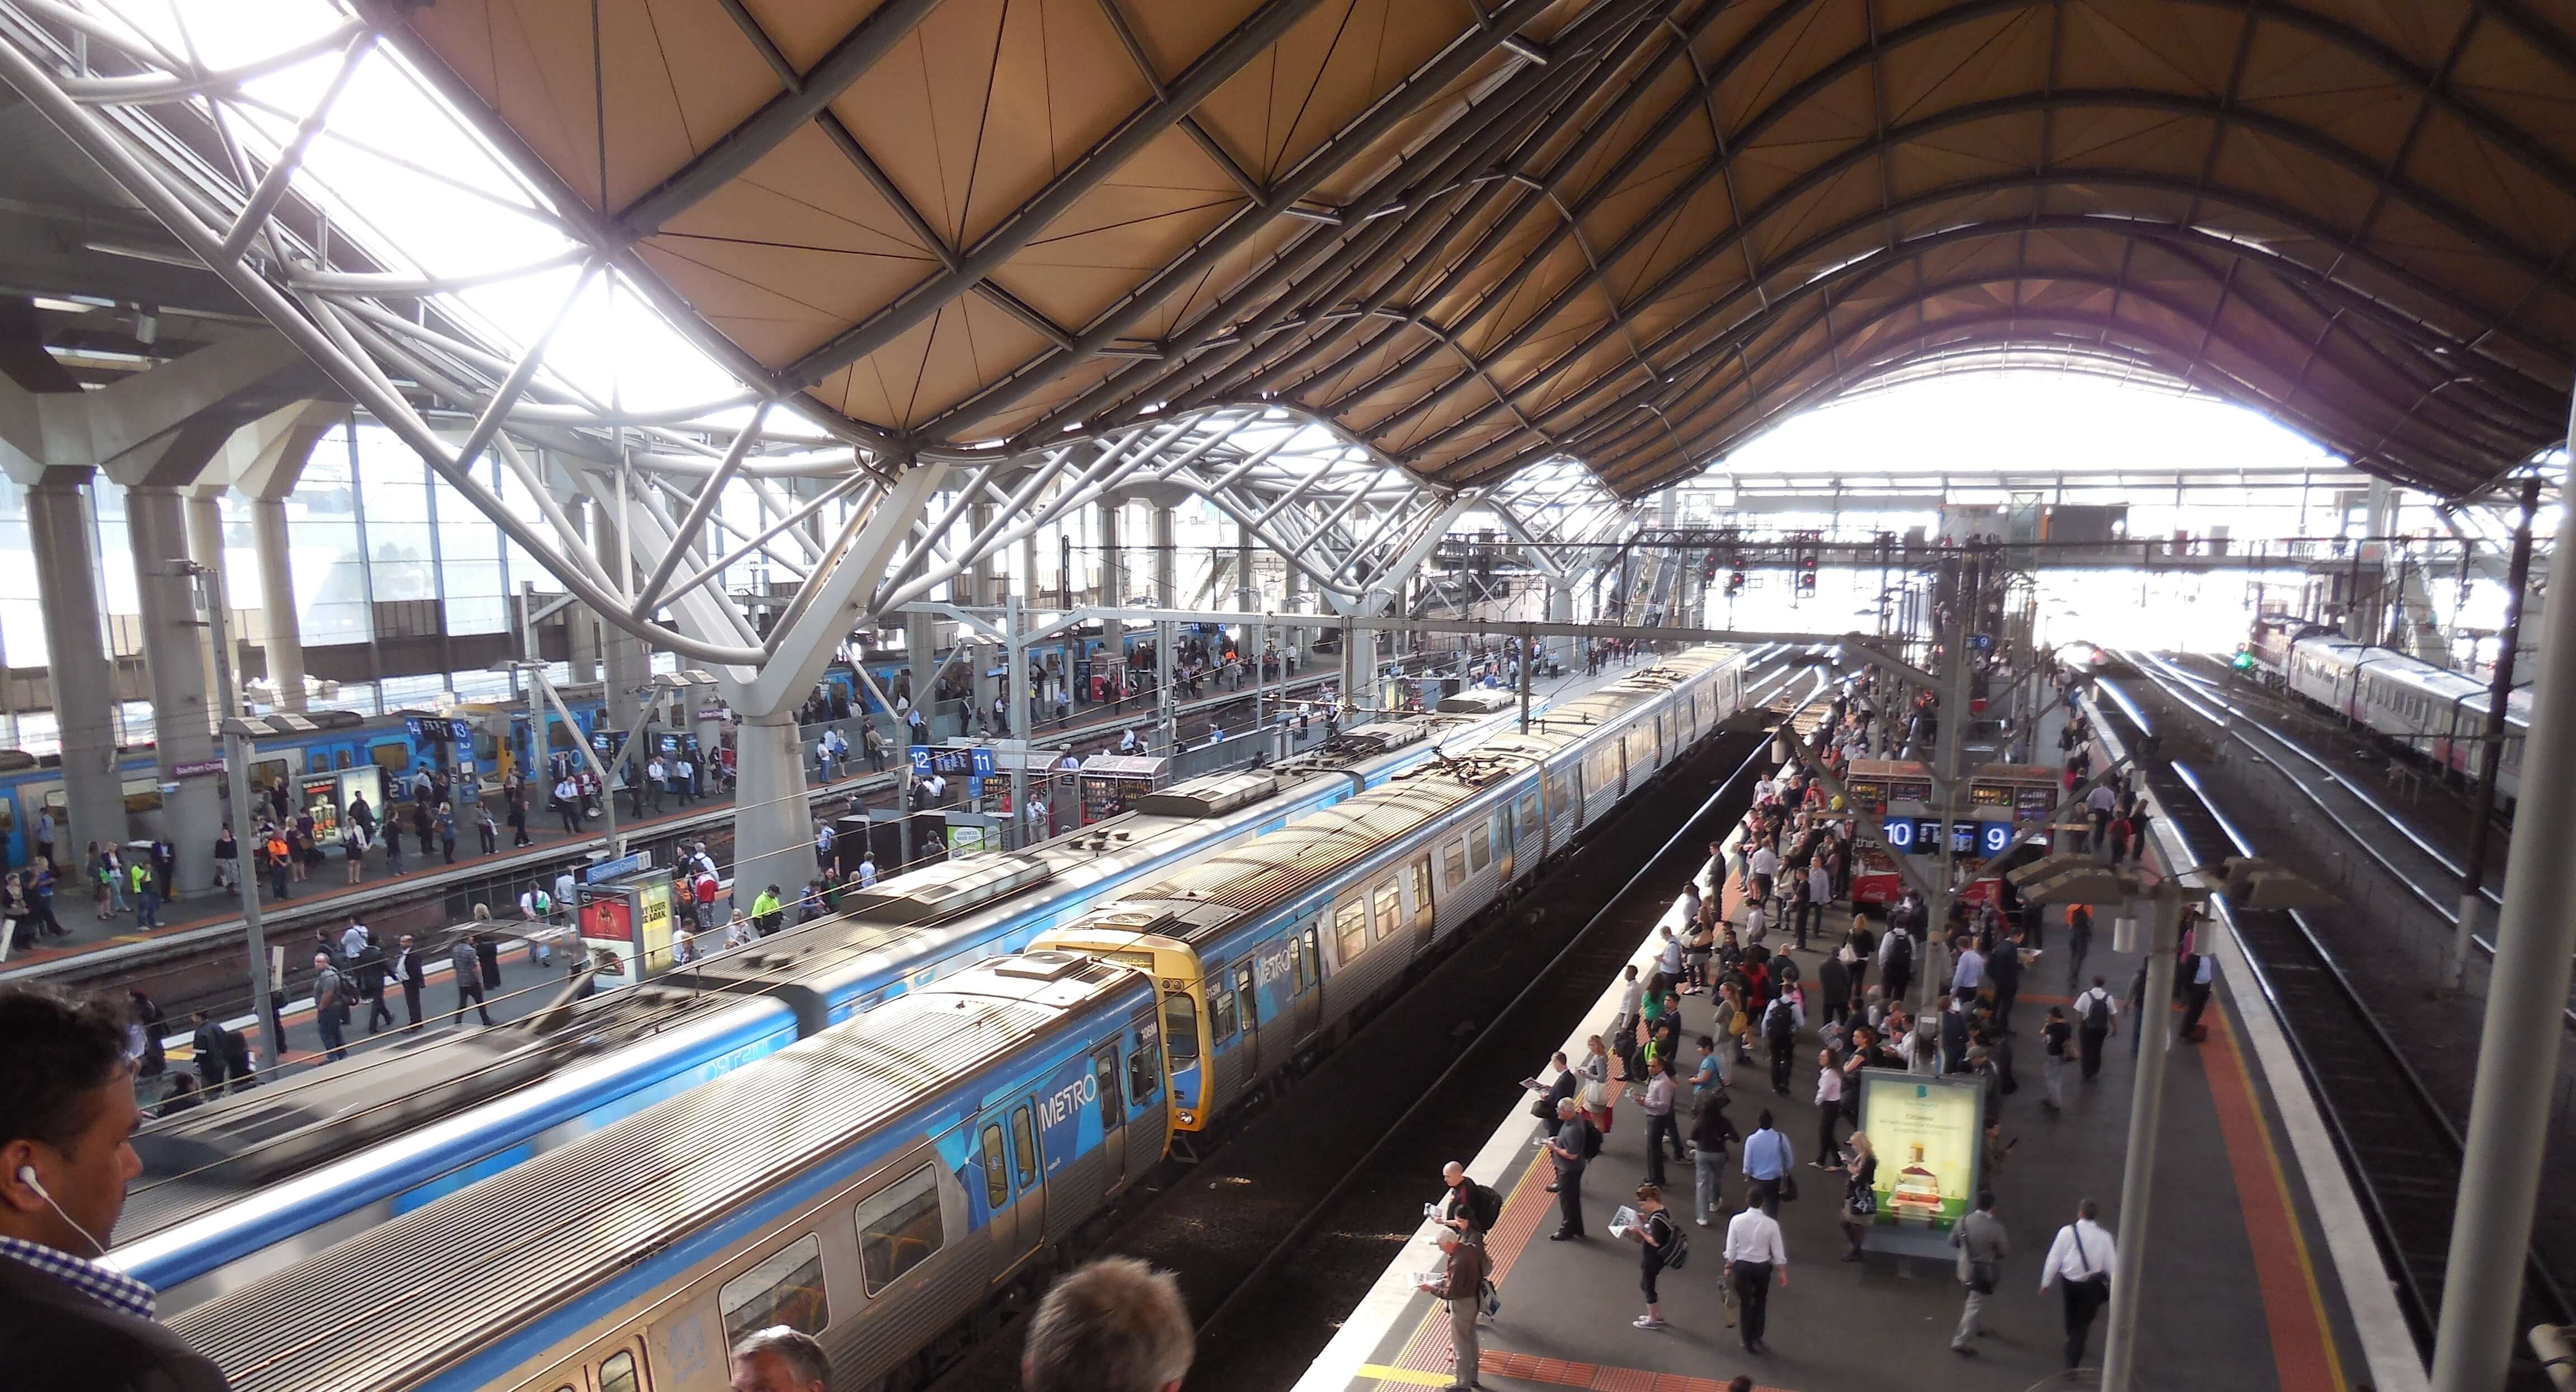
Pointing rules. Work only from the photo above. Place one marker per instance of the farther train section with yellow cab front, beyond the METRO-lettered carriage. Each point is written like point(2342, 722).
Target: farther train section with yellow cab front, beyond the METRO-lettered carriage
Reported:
point(1274, 947)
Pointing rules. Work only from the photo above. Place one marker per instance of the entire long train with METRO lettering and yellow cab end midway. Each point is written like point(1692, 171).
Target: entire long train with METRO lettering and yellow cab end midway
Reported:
point(898, 1174)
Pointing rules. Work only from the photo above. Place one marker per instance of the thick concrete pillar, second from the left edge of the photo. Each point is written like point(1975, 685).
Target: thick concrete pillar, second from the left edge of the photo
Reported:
point(174, 651)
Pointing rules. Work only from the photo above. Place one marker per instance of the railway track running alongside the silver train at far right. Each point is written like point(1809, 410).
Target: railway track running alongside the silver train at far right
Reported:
point(2423, 870)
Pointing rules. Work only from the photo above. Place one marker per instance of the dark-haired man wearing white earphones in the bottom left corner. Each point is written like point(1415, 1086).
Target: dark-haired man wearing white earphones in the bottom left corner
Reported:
point(66, 1117)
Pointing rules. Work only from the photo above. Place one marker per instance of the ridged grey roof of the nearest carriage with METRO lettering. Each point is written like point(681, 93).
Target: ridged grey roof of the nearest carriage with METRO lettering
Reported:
point(434, 1290)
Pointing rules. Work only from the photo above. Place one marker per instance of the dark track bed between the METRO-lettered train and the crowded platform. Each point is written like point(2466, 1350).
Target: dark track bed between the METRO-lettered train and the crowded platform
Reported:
point(1292, 1218)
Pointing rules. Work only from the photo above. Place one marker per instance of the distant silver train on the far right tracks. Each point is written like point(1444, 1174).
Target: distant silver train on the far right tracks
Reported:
point(2428, 713)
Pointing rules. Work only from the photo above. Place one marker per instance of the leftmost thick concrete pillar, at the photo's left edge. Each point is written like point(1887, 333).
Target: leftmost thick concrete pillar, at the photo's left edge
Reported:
point(63, 530)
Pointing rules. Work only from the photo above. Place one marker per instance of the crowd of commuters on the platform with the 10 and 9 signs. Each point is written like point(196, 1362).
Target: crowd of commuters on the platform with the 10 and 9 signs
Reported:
point(1810, 1012)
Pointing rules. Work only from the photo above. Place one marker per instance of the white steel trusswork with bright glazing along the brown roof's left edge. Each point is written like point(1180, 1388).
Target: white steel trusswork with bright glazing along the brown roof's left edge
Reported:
point(470, 365)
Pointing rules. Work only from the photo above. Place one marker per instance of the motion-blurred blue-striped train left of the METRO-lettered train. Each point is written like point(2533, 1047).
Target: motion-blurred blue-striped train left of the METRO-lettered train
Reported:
point(251, 1184)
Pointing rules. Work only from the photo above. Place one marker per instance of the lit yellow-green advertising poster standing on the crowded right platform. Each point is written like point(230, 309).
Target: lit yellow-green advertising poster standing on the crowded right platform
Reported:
point(1928, 1138)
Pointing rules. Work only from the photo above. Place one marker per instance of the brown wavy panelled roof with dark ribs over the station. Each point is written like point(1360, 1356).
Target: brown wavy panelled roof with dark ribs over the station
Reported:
point(1482, 233)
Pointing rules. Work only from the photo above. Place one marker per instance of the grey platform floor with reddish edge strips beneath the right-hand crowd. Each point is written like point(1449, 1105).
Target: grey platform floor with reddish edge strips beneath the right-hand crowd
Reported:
point(2253, 1275)
